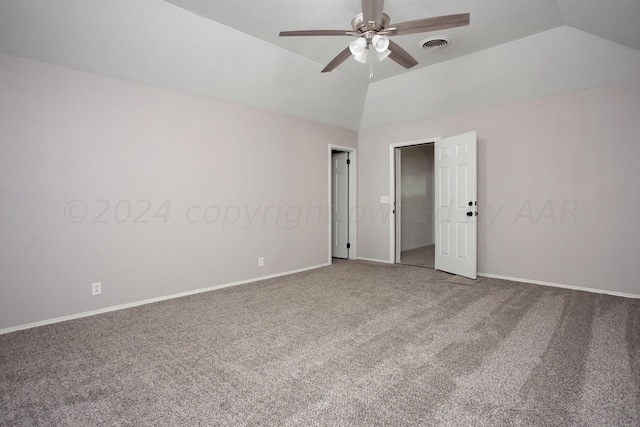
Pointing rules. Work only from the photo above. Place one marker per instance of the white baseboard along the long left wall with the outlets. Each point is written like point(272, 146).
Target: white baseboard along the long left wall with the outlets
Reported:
point(151, 300)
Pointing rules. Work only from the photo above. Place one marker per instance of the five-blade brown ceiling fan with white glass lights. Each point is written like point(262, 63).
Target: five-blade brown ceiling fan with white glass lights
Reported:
point(372, 27)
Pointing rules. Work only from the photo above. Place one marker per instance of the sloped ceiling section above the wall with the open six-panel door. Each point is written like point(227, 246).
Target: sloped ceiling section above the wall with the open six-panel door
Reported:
point(562, 60)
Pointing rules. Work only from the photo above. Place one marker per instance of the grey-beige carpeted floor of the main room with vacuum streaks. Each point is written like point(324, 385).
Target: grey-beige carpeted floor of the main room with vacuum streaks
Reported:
point(355, 343)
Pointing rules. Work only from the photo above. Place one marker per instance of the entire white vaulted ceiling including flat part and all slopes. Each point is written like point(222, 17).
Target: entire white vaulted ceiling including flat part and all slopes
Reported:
point(230, 51)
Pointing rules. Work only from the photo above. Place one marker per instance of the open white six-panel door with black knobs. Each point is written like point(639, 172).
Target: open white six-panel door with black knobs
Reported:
point(456, 205)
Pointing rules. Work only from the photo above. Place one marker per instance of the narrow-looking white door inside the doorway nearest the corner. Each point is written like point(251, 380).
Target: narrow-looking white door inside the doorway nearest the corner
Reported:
point(340, 205)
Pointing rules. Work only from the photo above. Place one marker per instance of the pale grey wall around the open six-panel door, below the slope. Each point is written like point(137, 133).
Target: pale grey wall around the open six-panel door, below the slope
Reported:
point(556, 180)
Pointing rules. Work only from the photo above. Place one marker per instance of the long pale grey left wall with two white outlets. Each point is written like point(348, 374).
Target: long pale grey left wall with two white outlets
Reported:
point(149, 192)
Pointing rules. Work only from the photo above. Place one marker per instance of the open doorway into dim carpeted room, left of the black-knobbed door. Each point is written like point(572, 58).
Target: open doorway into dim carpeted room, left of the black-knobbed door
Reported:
point(415, 189)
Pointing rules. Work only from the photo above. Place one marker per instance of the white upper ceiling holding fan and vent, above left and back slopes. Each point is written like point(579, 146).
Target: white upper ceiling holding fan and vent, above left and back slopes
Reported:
point(493, 22)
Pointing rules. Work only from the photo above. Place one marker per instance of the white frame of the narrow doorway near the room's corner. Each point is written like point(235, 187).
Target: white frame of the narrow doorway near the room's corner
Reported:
point(353, 231)
